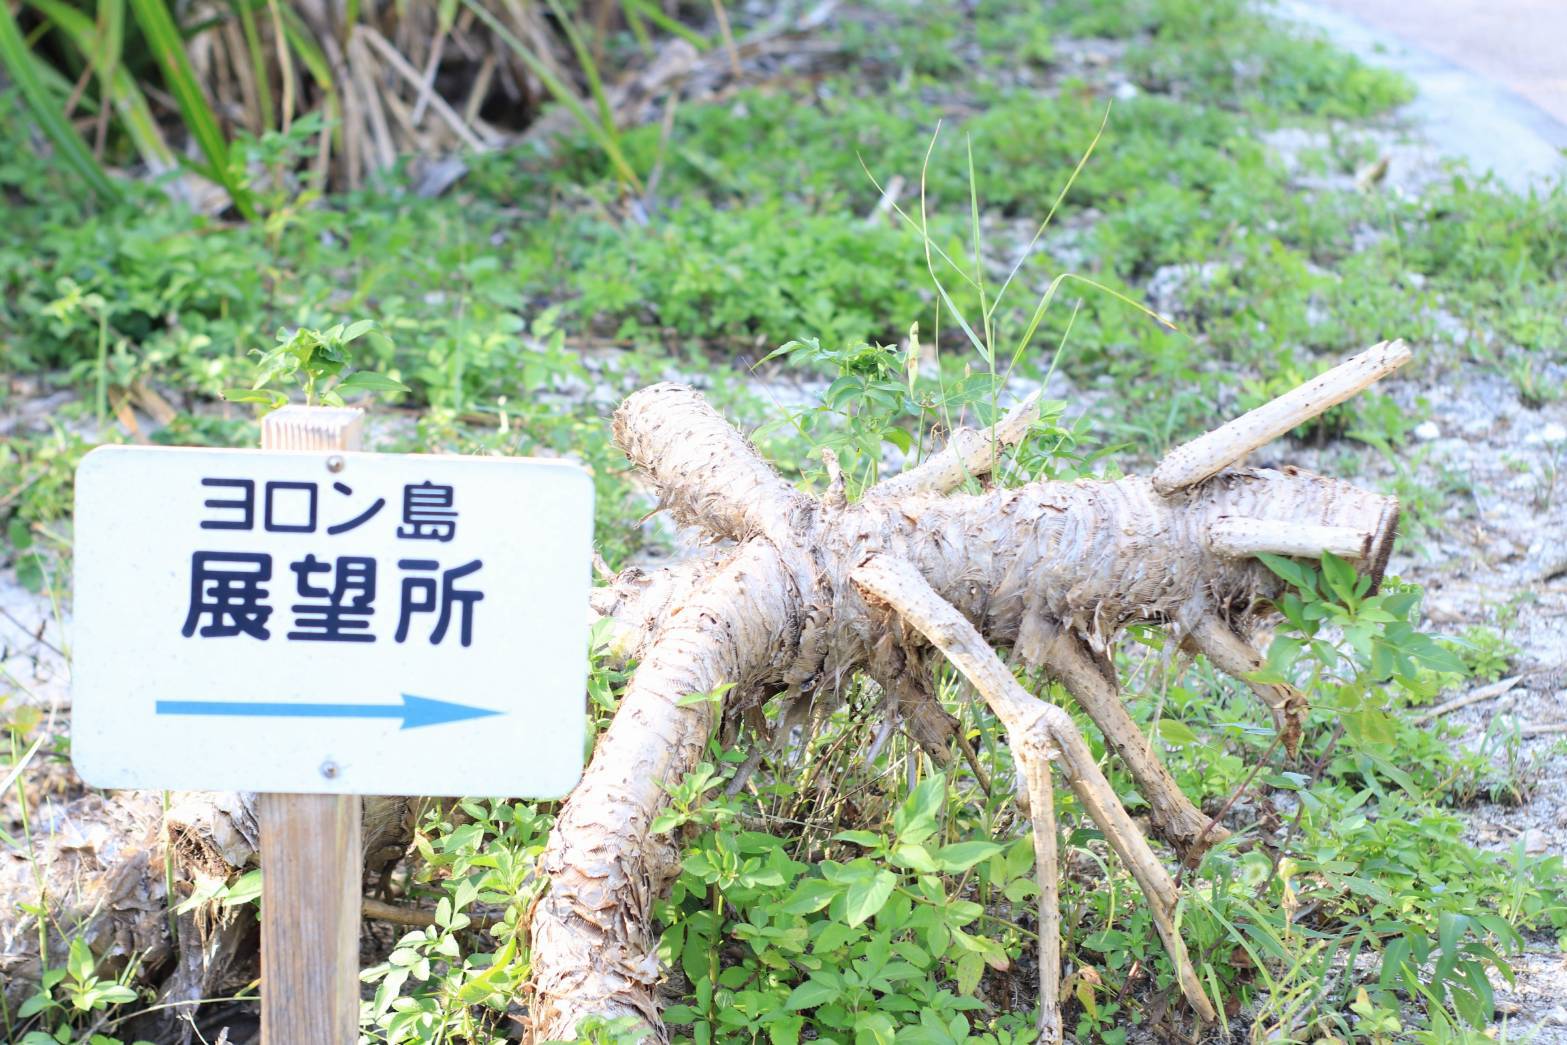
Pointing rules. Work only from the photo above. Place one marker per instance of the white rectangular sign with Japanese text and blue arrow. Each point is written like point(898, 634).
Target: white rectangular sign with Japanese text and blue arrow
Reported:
point(330, 623)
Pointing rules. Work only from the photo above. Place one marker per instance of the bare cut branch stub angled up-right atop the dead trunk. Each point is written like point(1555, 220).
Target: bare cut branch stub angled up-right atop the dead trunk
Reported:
point(1229, 444)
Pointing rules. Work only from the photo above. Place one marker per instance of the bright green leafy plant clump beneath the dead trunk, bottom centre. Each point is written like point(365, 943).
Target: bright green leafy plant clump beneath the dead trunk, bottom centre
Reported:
point(877, 944)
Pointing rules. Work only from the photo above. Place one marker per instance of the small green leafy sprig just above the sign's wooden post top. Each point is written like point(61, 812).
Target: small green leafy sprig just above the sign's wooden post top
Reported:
point(316, 361)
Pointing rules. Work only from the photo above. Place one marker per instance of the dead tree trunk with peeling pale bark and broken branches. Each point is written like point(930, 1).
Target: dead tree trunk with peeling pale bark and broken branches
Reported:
point(1051, 570)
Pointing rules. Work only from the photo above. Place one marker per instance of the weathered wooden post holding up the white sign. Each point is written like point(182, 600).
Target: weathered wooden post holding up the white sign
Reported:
point(311, 852)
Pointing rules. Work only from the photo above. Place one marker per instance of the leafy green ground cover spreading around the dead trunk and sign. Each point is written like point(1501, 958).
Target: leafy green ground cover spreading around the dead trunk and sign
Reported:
point(1192, 270)
